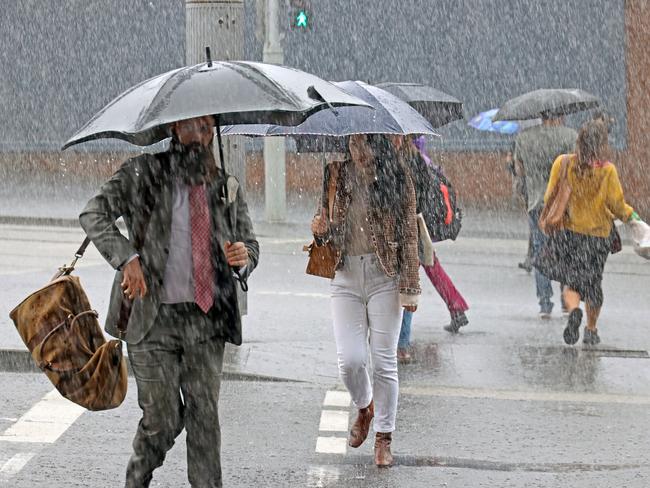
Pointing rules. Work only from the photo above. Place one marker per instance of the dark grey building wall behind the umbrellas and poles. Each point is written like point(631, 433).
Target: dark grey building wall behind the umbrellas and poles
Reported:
point(61, 61)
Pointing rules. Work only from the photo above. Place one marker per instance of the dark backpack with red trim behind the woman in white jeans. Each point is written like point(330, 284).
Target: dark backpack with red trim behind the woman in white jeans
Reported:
point(437, 201)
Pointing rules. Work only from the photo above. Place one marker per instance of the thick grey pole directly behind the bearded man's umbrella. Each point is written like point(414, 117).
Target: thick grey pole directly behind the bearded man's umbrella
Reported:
point(218, 24)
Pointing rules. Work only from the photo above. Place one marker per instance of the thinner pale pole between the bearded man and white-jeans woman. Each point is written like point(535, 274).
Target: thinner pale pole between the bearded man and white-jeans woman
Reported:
point(274, 148)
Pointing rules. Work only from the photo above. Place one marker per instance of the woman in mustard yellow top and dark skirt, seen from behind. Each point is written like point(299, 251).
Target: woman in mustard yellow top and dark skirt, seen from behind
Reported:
point(576, 255)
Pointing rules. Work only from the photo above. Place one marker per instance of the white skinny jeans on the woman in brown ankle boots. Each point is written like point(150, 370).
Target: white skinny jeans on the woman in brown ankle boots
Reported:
point(366, 309)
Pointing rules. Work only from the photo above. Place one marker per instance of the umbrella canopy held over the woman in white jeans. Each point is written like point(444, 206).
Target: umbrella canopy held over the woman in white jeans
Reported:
point(391, 116)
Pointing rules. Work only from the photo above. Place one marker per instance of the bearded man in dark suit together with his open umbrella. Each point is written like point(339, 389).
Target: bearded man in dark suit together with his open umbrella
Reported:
point(175, 299)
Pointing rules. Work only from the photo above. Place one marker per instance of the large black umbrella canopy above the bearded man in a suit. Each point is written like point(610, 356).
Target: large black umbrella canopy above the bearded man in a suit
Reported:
point(236, 92)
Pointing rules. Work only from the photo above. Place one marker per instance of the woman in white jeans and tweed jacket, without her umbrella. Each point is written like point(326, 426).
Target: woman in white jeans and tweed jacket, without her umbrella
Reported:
point(371, 222)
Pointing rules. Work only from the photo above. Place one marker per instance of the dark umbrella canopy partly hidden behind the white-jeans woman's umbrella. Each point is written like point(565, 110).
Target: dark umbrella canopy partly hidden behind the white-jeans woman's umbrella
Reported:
point(438, 107)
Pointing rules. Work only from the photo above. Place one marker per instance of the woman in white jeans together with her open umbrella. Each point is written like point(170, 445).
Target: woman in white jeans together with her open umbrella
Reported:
point(370, 225)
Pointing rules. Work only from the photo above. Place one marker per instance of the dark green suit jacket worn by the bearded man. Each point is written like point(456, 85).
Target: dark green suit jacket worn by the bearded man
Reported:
point(143, 187)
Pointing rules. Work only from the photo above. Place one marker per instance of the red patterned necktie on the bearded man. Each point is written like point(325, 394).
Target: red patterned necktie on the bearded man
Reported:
point(201, 248)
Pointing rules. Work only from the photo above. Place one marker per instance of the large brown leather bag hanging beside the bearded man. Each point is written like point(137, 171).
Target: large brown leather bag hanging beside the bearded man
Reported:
point(61, 330)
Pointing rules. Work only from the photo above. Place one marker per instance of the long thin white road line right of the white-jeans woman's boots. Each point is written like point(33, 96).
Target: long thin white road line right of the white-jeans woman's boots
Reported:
point(528, 396)
